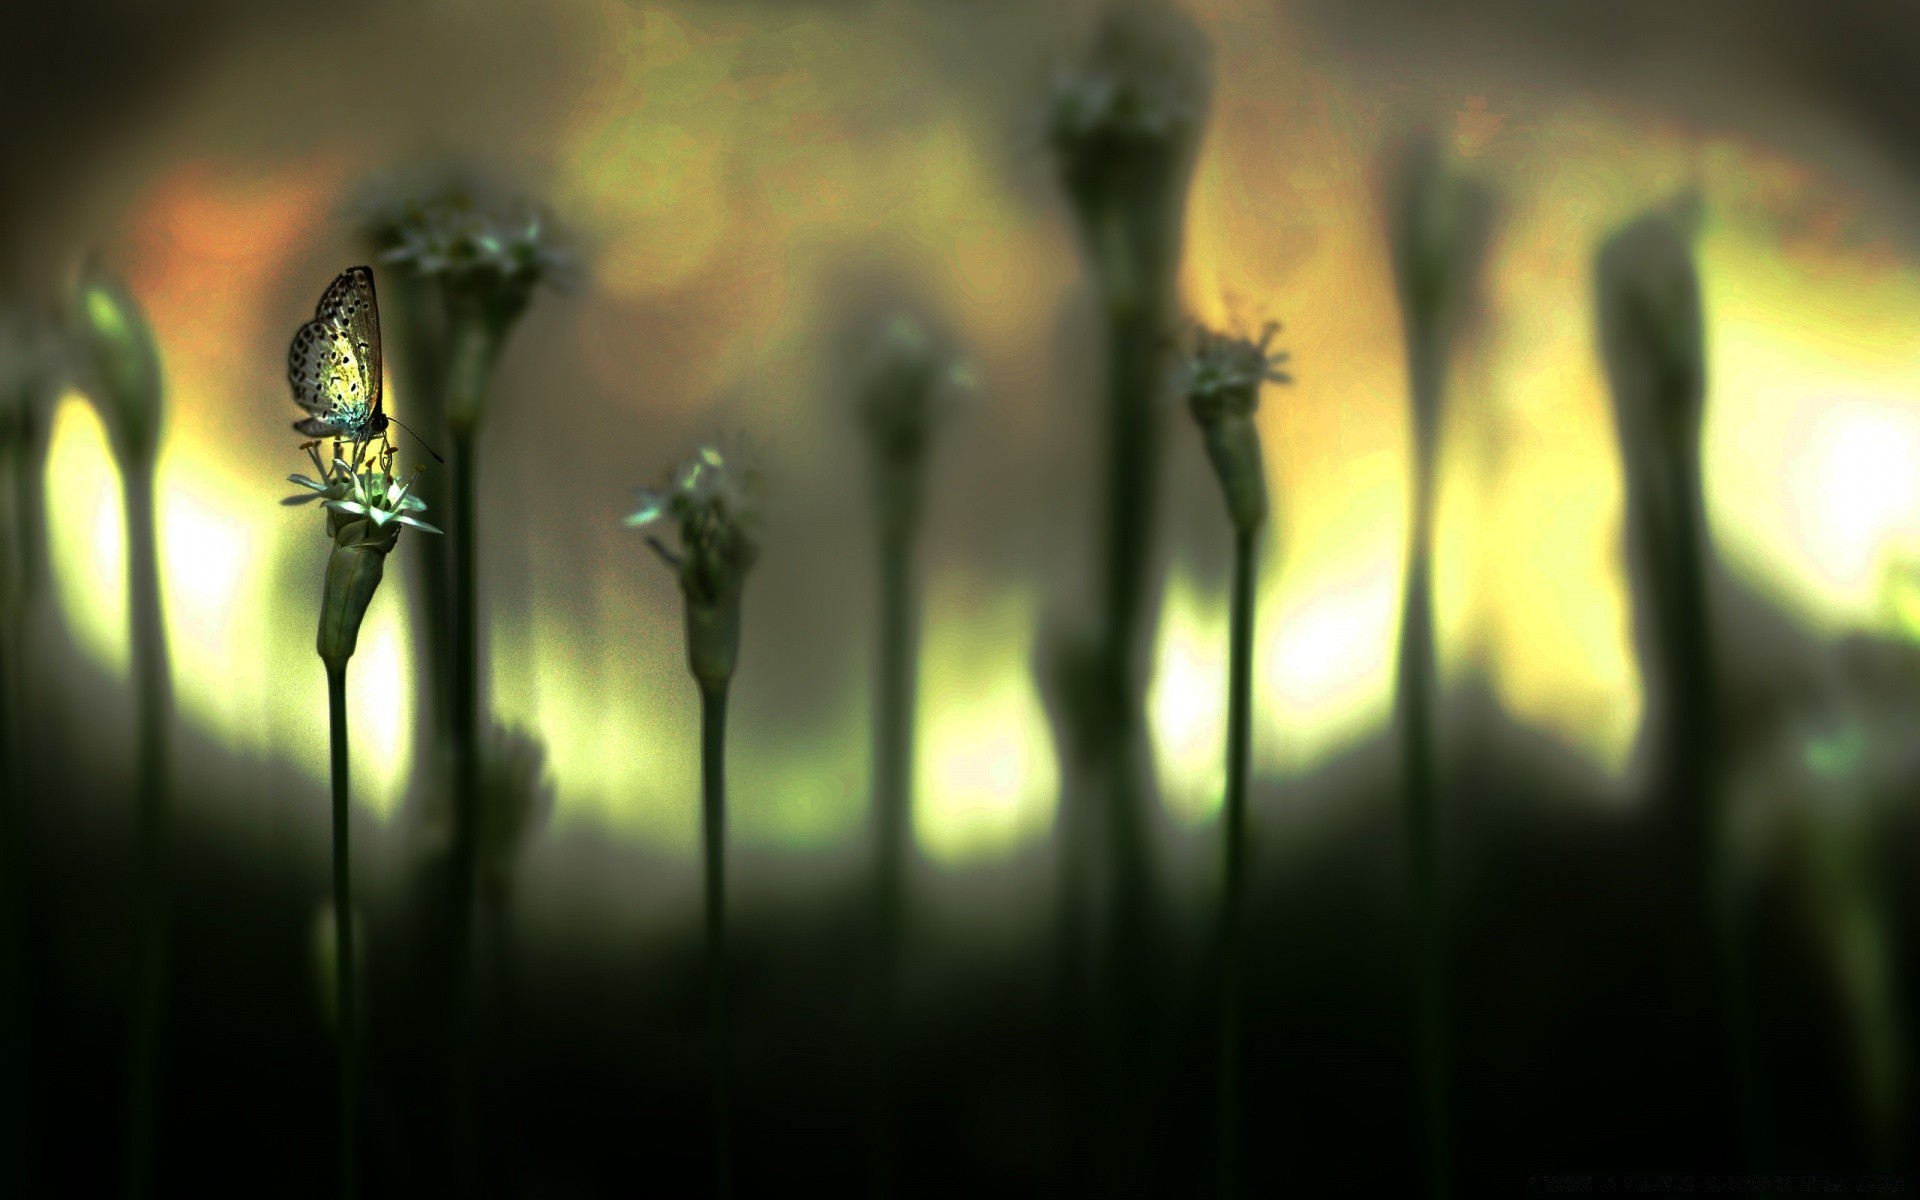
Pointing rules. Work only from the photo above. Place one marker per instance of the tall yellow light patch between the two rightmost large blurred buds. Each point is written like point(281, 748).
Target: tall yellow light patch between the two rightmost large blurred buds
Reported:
point(1550, 581)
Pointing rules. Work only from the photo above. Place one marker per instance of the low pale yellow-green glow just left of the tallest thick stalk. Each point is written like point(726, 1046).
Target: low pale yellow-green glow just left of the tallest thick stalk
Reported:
point(986, 777)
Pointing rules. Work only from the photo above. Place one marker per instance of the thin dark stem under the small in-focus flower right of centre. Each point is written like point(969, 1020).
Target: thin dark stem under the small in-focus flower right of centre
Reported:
point(1234, 909)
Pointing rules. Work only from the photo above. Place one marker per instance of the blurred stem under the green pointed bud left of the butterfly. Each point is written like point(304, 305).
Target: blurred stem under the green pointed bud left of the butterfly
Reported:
point(153, 700)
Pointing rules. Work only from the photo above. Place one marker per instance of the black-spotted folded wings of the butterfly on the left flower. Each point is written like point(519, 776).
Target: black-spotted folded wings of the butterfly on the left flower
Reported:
point(335, 364)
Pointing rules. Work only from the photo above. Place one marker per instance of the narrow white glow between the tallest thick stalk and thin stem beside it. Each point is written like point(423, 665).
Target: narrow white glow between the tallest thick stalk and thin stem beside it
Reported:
point(1188, 700)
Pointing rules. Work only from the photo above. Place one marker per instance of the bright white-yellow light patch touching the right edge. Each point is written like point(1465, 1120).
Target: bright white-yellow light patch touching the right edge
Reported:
point(1813, 427)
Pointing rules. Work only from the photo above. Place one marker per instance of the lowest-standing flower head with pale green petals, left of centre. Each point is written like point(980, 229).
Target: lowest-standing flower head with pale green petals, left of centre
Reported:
point(713, 500)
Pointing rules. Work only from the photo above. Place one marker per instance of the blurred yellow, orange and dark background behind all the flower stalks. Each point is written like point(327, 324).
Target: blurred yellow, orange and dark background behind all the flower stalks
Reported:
point(738, 183)
